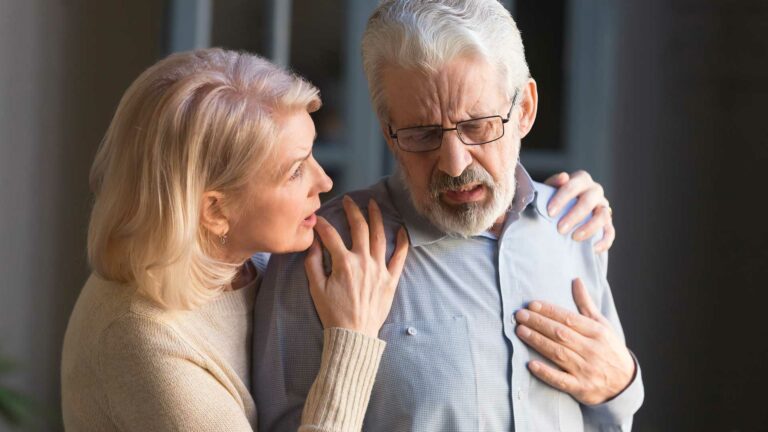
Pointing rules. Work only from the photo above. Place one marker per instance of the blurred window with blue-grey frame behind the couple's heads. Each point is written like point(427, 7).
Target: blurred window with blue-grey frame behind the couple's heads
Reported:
point(568, 45)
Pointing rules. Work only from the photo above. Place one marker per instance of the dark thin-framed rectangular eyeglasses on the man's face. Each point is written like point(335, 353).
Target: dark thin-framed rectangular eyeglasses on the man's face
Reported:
point(475, 131)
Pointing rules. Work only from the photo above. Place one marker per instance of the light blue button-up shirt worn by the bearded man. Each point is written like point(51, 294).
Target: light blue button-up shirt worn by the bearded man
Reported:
point(453, 361)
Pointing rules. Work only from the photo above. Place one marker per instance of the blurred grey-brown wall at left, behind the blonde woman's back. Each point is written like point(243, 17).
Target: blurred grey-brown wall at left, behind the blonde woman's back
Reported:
point(63, 67)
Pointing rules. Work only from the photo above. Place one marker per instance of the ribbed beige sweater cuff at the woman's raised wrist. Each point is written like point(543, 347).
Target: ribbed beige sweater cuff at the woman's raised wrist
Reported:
point(339, 396)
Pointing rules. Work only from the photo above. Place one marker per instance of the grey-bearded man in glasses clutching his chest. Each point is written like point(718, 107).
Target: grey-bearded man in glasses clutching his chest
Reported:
point(499, 323)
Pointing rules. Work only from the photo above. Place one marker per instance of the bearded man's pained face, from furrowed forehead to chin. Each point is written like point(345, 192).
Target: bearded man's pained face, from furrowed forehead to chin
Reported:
point(461, 189)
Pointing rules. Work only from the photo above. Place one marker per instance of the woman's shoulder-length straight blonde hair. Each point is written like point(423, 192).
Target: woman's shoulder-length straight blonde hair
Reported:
point(193, 122)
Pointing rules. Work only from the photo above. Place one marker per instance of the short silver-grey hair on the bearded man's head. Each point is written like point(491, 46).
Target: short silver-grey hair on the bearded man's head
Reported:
point(425, 34)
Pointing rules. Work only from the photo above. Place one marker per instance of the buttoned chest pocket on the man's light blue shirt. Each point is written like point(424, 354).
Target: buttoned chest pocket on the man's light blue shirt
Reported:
point(426, 380)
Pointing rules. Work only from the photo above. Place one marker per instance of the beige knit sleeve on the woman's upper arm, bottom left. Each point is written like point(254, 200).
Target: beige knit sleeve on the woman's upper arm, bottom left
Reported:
point(155, 381)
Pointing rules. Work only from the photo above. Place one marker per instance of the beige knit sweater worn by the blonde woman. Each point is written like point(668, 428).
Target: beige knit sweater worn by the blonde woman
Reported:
point(128, 365)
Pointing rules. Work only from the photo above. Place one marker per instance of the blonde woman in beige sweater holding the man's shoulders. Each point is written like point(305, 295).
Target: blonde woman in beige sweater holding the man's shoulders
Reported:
point(208, 160)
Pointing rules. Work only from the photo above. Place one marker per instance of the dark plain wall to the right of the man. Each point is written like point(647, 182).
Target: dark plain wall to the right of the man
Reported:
point(690, 265)
